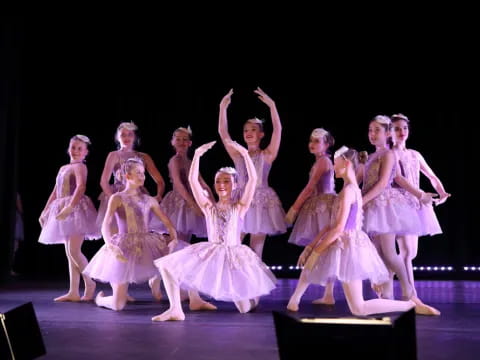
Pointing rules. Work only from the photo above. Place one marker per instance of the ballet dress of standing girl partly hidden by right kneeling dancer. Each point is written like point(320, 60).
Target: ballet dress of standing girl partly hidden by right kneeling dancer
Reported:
point(315, 213)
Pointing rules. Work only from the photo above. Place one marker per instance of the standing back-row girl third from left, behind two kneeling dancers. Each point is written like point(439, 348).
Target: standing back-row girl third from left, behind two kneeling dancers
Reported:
point(179, 204)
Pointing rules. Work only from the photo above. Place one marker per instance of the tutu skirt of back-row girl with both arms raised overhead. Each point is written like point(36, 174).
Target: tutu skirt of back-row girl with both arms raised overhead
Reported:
point(265, 215)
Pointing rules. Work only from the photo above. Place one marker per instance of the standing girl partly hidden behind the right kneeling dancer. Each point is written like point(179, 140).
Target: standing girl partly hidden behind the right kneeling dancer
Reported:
point(314, 204)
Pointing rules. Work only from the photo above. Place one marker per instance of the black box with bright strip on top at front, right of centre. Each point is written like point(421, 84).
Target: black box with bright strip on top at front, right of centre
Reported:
point(394, 336)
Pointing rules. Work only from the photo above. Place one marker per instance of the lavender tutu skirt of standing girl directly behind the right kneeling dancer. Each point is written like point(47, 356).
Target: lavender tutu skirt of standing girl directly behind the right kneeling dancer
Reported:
point(312, 218)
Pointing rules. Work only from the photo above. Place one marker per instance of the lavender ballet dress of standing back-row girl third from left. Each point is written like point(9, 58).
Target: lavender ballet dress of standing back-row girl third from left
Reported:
point(182, 216)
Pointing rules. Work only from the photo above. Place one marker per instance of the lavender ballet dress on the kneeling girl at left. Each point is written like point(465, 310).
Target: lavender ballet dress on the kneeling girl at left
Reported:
point(139, 246)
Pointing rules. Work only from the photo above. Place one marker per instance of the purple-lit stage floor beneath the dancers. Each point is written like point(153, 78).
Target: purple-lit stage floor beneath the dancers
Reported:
point(85, 331)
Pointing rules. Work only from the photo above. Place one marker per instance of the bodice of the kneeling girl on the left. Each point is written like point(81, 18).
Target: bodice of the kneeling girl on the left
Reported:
point(132, 215)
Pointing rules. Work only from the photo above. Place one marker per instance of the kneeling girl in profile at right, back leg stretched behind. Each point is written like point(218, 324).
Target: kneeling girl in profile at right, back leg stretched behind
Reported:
point(343, 251)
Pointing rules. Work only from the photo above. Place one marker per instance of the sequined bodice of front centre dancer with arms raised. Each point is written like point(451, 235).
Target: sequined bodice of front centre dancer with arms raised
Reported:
point(224, 224)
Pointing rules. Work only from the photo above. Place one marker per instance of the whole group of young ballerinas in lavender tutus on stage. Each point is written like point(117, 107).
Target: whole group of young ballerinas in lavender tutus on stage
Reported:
point(347, 237)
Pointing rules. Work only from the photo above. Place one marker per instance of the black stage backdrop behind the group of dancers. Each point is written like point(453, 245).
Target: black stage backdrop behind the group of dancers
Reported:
point(61, 78)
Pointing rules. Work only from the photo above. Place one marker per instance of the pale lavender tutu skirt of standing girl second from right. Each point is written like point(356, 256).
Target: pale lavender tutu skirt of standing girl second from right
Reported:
point(391, 212)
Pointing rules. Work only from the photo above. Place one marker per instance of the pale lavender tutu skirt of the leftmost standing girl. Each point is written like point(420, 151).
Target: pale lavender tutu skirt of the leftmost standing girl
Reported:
point(81, 221)
